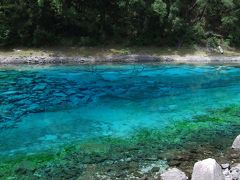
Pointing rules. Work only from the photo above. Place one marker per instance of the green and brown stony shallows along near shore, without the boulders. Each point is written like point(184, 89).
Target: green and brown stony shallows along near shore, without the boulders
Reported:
point(147, 153)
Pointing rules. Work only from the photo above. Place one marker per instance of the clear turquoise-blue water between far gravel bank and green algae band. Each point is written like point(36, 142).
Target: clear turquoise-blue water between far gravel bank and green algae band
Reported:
point(46, 106)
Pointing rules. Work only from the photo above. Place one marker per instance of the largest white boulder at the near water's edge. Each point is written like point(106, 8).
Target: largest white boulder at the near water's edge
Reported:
point(207, 169)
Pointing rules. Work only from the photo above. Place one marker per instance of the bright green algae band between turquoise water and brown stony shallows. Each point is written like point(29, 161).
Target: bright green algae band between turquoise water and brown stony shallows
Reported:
point(212, 133)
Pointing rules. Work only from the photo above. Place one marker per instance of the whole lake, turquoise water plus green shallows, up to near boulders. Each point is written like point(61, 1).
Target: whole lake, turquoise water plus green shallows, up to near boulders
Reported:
point(103, 116)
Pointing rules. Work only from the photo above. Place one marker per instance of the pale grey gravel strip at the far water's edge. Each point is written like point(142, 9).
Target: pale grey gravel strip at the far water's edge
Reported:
point(129, 58)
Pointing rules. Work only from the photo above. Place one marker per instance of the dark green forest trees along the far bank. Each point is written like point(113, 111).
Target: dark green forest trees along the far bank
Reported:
point(128, 22)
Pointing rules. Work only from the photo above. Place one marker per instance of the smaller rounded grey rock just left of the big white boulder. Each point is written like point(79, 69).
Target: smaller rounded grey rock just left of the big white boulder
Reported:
point(173, 174)
